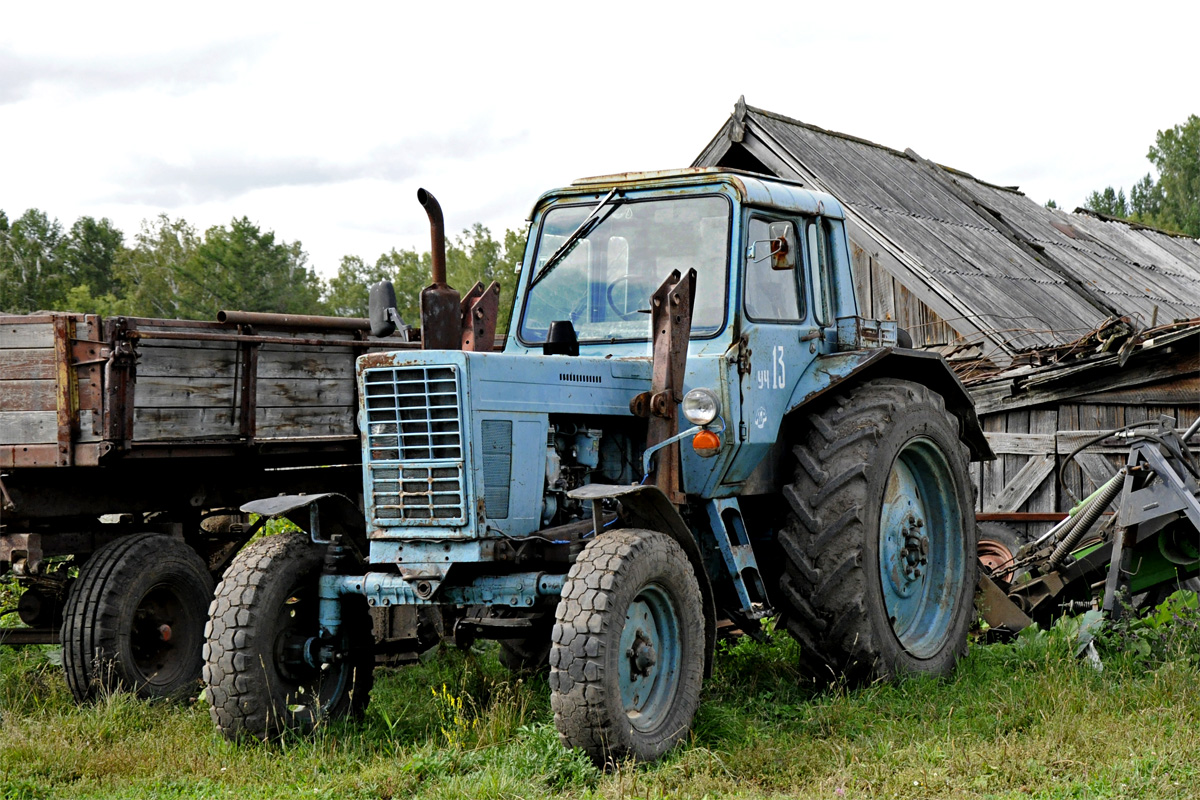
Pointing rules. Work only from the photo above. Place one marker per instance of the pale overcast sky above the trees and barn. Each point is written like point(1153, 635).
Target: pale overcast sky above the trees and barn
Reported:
point(321, 121)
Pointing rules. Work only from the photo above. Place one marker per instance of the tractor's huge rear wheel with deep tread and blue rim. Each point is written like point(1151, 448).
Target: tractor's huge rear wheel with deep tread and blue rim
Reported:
point(880, 548)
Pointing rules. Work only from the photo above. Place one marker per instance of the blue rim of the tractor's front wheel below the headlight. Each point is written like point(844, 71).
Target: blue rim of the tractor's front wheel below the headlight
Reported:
point(650, 658)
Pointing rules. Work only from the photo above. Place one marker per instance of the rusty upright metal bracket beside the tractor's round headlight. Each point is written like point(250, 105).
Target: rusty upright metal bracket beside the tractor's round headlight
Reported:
point(671, 321)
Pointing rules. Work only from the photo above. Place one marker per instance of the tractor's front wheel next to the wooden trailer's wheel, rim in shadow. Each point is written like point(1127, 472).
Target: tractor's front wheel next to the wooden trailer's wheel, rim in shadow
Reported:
point(266, 611)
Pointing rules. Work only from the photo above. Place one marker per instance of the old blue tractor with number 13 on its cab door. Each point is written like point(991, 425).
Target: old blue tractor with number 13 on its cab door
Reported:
point(549, 496)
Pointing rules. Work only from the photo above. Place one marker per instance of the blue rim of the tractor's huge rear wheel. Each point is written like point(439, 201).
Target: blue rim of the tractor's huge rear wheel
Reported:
point(922, 556)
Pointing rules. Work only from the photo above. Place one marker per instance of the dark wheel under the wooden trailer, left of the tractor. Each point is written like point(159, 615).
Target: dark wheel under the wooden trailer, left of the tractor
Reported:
point(135, 619)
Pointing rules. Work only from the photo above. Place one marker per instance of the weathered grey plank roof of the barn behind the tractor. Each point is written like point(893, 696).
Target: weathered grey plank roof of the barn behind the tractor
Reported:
point(989, 261)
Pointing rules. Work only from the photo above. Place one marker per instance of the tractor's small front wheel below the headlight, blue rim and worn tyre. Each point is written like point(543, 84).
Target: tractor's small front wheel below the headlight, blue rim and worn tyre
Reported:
point(628, 654)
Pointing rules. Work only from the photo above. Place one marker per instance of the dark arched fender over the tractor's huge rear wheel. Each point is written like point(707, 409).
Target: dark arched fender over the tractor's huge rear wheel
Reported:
point(931, 370)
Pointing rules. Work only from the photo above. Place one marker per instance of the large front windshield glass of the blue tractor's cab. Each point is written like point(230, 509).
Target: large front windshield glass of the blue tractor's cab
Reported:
point(605, 282)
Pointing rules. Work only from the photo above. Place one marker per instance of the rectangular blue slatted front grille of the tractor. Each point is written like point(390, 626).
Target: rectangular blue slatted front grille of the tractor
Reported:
point(415, 446)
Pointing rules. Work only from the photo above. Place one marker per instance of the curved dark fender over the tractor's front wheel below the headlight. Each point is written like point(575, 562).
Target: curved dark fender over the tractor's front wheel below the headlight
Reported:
point(647, 507)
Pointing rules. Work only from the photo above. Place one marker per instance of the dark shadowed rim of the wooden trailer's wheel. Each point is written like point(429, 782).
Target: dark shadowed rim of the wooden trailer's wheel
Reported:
point(165, 636)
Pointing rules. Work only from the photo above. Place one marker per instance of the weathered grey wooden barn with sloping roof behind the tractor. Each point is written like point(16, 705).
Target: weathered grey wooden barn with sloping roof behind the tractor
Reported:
point(1063, 326)
